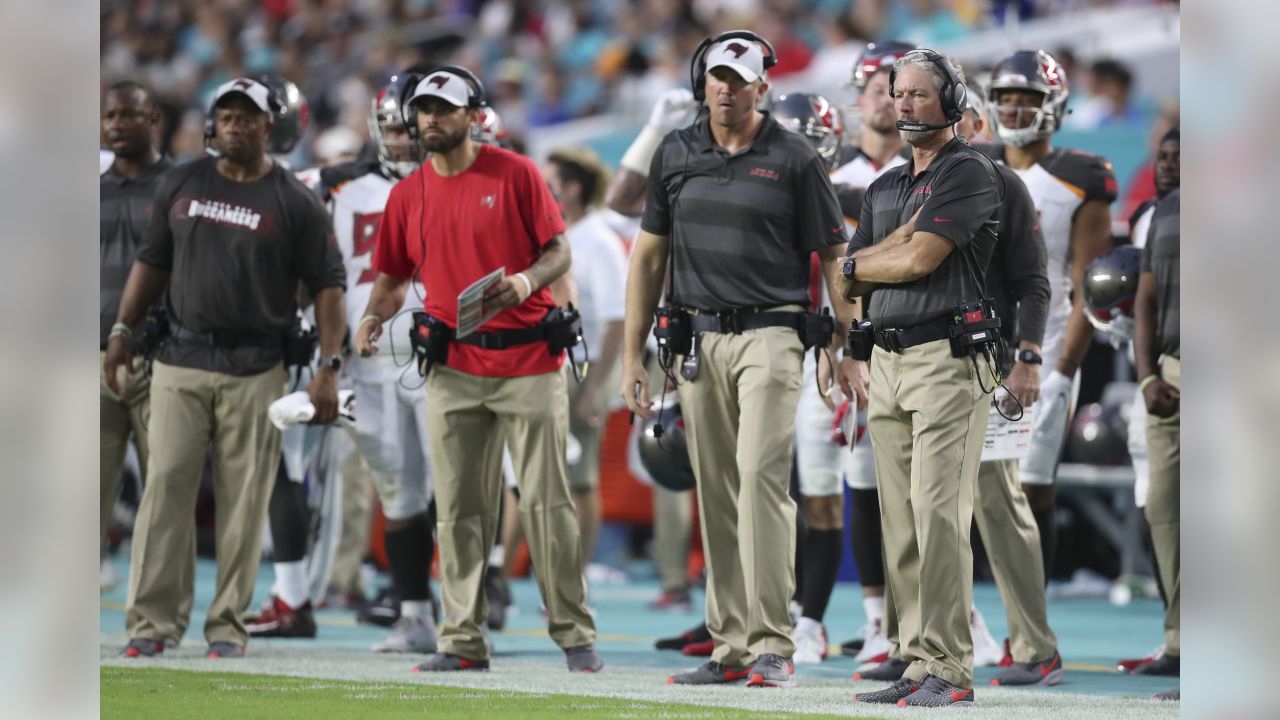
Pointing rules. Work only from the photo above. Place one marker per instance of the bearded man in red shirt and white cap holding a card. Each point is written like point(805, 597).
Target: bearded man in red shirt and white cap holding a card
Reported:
point(488, 208)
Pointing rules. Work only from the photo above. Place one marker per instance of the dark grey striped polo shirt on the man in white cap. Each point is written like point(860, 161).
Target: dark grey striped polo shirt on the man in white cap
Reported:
point(744, 225)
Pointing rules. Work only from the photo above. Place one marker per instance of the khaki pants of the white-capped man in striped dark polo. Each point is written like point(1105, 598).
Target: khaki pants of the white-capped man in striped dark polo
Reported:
point(740, 418)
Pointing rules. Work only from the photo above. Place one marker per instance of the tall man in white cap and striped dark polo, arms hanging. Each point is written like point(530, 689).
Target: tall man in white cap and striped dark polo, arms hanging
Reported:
point(739, 204)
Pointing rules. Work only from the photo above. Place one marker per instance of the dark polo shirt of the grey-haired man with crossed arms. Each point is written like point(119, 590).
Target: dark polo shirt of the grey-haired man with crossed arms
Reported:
point(961, 194)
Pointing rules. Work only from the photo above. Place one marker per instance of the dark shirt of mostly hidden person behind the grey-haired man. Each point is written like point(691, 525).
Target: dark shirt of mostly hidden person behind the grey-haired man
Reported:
point(1017, 275)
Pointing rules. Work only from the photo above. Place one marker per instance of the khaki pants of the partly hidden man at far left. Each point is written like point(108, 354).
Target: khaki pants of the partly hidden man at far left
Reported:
point(122, 418)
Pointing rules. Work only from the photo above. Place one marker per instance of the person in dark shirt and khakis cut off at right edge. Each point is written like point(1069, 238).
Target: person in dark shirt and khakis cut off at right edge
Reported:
point(1158, 352)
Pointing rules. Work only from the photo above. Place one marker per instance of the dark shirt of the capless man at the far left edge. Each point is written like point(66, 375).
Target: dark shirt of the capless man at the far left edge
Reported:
point(125, 211)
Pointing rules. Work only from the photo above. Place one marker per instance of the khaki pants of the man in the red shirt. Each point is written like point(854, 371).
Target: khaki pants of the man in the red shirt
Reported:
point(469, 418)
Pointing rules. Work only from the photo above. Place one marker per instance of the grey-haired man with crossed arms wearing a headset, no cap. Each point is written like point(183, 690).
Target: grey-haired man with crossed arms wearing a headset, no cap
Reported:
point(927, 413)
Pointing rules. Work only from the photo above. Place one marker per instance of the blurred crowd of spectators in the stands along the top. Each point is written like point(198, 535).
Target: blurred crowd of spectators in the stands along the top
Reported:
point(545, 63)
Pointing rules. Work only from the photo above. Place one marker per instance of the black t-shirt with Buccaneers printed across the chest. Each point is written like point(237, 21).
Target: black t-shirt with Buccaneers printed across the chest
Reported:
point(236, 253)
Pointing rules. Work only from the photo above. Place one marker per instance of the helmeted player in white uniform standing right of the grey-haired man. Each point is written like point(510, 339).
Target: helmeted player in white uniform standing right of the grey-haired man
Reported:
point(1073, 193)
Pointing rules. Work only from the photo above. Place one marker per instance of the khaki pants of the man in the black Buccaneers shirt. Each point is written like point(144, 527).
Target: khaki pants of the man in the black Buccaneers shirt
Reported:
point(193, 411)
